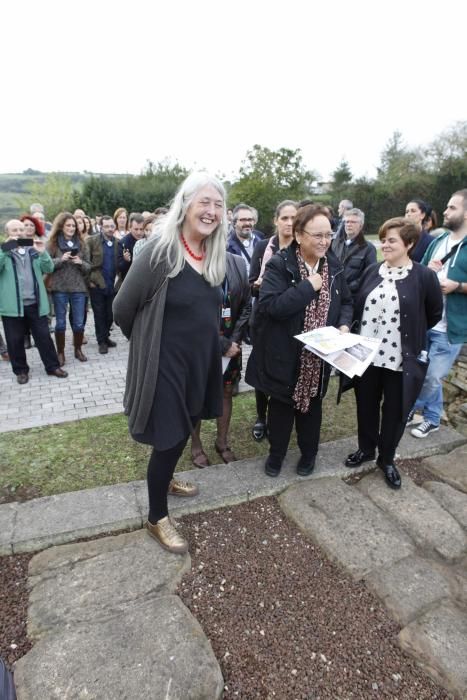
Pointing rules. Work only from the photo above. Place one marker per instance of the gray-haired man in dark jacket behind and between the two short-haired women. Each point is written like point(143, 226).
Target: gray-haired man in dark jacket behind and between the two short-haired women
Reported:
point(352, 249)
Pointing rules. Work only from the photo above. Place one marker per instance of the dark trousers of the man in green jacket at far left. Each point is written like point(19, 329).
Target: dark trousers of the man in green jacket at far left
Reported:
point(15, 330)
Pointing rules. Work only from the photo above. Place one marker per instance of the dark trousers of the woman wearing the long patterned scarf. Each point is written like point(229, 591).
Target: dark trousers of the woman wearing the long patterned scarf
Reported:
point(281, 418)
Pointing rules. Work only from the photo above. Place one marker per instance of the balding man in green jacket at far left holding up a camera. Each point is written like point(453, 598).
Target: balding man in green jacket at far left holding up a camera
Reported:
point(23, 300)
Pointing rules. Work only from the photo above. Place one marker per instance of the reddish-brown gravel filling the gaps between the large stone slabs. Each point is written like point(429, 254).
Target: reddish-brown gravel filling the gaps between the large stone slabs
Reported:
point(283, 621)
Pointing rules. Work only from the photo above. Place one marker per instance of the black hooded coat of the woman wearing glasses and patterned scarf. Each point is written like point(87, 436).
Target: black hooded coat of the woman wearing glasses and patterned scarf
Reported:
point(274, 363)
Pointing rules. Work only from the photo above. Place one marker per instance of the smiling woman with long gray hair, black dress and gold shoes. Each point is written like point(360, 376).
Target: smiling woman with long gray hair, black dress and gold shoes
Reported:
point(168, 307)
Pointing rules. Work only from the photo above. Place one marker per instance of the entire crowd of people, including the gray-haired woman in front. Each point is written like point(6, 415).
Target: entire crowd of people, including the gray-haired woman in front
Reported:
point(189, 285)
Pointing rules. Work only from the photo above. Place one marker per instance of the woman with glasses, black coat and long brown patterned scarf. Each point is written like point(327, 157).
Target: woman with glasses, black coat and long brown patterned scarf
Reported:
point(303, 288)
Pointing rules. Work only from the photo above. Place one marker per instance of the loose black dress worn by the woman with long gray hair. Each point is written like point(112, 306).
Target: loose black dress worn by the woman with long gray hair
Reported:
point(189, 382)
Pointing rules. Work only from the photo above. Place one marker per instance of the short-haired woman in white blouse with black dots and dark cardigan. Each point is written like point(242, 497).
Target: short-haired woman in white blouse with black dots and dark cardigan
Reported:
point(397, 302)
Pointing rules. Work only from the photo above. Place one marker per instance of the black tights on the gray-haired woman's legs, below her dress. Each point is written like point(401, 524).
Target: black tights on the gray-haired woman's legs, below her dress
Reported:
point(161, 469)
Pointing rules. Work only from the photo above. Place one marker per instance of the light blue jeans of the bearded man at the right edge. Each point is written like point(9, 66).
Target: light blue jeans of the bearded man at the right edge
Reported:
point(442, 356)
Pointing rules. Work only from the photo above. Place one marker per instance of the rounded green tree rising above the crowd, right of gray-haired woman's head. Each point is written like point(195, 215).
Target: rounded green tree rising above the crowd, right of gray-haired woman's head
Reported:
point(267, 177)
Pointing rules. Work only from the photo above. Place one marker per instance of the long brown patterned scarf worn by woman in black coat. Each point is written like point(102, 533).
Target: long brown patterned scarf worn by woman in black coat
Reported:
point(316, 314)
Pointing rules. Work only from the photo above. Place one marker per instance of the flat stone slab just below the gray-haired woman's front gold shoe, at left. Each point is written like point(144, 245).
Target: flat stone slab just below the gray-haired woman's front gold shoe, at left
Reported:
point(77, 583)
